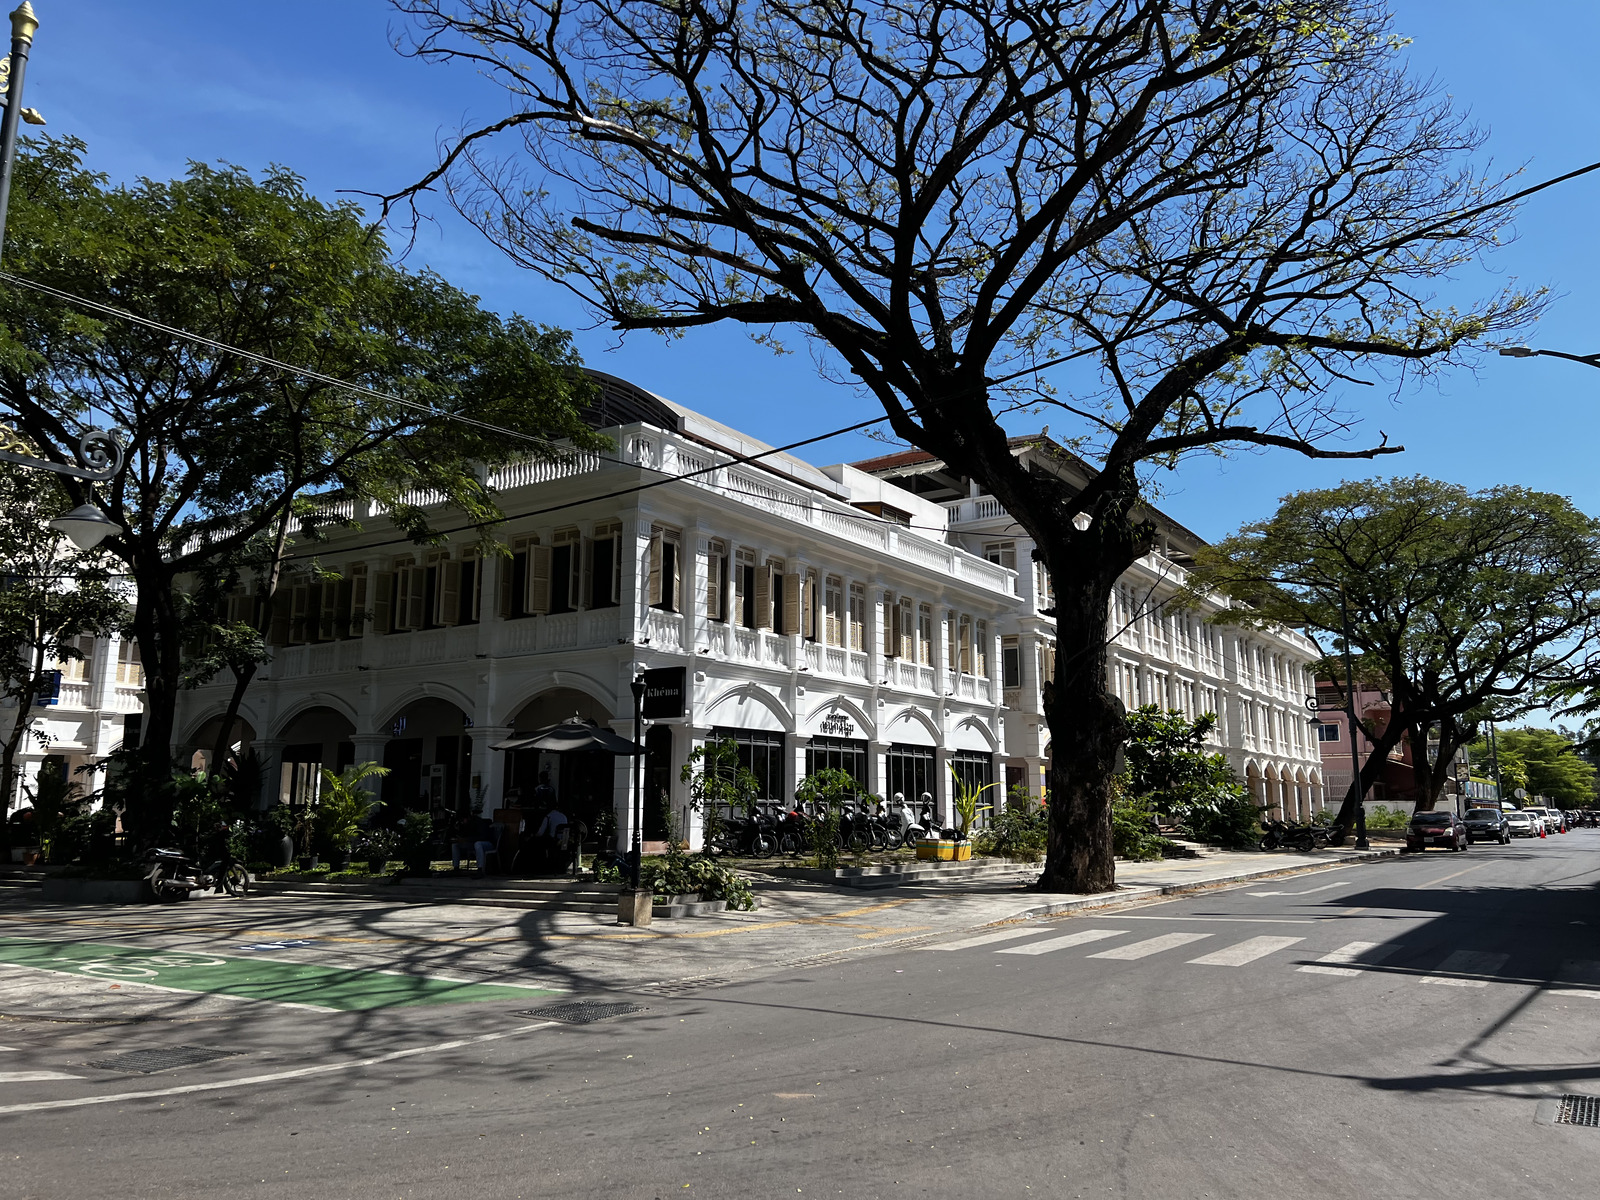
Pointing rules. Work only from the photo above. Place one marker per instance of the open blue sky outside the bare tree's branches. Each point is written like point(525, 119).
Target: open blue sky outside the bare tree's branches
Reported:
point(316, 86)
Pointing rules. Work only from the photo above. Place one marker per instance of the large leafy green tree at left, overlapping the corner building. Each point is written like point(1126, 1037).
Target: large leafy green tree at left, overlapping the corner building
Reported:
point(401, 390)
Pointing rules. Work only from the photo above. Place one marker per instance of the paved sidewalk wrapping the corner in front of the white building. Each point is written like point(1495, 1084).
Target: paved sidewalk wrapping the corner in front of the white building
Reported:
point(798, 924)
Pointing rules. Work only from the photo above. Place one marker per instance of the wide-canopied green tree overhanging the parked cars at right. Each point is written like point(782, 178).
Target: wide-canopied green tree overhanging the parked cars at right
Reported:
point(1462, 604)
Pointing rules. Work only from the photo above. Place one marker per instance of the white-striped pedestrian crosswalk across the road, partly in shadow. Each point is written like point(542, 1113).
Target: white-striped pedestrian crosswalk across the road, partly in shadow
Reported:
point(1458, 969)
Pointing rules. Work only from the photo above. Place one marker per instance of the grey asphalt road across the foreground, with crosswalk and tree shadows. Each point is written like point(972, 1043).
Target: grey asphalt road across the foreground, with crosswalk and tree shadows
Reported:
point(1386, 1030)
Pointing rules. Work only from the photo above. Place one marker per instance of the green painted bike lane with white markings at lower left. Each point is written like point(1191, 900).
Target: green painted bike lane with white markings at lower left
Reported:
point(330, 988)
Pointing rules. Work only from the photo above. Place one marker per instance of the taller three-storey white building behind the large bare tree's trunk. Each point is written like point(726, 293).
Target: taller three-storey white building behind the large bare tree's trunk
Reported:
point(1257, 682)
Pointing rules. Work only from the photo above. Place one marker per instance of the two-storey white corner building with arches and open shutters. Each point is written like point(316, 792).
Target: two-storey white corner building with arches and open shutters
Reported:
point(815, 617)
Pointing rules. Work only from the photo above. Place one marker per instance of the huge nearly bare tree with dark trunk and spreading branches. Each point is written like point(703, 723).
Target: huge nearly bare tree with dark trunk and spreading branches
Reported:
point(1210, 215)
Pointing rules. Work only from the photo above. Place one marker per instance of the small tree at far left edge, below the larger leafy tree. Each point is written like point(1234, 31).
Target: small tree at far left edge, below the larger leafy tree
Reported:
point(50, 598)
